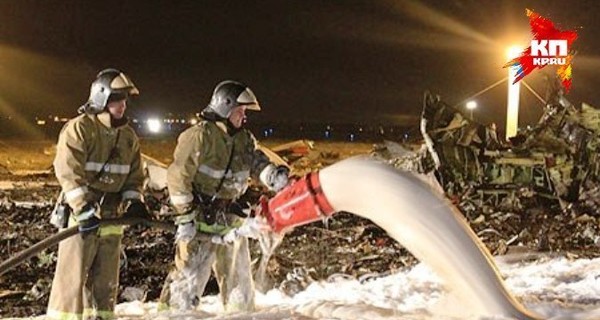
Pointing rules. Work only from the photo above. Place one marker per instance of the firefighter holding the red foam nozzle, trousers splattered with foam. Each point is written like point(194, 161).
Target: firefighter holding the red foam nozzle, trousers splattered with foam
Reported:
point(212, 163)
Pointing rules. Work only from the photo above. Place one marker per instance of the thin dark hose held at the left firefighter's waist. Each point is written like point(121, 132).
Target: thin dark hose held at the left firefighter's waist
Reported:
point(24, 255)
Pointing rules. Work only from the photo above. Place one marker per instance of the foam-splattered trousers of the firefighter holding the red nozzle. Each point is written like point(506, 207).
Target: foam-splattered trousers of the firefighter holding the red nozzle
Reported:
point(193, 263)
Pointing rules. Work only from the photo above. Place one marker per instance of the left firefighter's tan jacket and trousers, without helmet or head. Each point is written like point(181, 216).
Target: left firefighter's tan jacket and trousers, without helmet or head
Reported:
point(97, 162)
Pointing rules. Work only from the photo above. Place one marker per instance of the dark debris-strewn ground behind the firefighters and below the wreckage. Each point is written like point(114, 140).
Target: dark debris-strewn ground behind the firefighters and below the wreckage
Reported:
point(346, 245)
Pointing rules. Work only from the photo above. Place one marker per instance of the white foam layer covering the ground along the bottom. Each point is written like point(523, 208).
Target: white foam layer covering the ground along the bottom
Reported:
point(557, 288)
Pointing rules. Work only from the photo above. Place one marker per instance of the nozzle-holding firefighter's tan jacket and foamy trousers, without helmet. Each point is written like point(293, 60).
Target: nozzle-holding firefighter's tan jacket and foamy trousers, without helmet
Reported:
point(199, 169)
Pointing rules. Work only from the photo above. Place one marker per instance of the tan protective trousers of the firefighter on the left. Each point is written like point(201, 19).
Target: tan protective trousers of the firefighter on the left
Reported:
point(86, 279)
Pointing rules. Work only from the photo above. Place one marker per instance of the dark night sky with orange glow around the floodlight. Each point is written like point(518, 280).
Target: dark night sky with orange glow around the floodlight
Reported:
point(336, 60)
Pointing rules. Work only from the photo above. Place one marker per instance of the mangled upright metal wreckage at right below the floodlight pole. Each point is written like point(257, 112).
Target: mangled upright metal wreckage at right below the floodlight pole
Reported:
point(554, 163)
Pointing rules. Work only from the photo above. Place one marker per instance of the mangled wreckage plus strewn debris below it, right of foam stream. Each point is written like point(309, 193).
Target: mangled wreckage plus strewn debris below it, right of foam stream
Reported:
point(539, 191)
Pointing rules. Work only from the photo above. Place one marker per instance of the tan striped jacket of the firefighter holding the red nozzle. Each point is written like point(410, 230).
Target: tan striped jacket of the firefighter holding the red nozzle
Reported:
point(200, 160)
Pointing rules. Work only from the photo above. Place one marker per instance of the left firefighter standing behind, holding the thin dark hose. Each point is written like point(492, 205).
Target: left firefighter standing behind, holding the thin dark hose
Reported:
point(97, 164)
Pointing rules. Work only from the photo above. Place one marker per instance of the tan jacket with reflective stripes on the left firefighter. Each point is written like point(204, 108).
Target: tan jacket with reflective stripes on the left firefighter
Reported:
point(84, 146)
